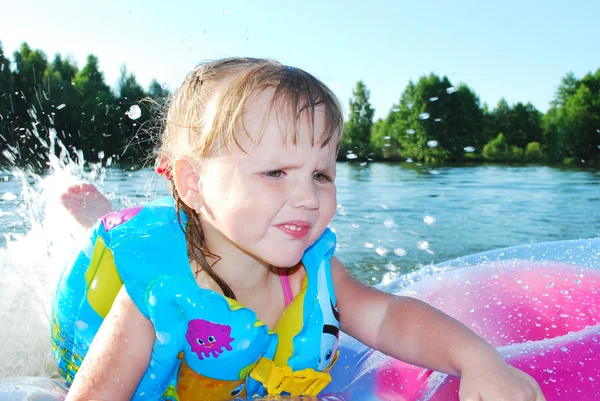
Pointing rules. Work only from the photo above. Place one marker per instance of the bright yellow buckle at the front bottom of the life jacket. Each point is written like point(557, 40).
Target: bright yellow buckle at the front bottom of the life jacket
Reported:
point(277, 379)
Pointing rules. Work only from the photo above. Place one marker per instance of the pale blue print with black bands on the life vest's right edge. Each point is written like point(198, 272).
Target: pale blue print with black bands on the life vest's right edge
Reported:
point(331, 321)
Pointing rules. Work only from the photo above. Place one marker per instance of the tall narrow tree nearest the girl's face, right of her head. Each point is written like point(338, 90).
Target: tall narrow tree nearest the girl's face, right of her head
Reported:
point(357, 131)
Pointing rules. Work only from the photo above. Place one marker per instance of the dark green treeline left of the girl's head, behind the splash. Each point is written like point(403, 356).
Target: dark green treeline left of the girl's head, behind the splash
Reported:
point(42, 100)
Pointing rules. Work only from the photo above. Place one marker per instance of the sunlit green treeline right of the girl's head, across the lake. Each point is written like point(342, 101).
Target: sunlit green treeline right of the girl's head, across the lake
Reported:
point(435, 121)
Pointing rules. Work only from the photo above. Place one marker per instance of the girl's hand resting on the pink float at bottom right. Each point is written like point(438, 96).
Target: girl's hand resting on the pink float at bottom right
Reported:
point(498, 381)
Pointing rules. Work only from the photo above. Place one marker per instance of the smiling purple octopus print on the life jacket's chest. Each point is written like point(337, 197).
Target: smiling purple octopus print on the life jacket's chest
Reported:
point(208, 338)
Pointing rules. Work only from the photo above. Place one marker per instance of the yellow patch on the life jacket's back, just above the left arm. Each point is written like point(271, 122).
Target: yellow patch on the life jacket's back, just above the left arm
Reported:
point(103, 281)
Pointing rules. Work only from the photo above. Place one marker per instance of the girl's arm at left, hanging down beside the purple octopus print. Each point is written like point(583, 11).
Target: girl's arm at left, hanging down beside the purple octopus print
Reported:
point(118, 356)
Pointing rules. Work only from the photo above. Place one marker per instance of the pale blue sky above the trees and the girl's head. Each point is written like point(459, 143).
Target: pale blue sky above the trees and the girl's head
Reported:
point(518, 50)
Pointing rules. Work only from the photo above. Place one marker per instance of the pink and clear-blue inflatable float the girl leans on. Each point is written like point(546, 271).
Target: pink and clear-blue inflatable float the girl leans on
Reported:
point(538, 304)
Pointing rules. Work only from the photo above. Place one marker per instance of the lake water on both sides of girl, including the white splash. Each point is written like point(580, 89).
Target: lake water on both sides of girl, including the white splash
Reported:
point(391, 219)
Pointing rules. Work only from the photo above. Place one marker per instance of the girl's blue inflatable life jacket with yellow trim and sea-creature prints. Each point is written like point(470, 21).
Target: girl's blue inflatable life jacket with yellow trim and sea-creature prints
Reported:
point(207, 346)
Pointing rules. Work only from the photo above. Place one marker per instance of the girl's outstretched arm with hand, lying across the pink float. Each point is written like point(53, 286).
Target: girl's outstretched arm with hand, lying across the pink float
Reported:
point(413, 331)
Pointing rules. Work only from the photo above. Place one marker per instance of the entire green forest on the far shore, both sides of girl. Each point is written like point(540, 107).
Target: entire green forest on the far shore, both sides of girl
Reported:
point(434, 121)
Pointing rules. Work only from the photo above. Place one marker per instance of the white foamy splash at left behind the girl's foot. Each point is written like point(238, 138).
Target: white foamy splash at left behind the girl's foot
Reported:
point(33, 258)
